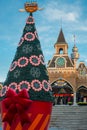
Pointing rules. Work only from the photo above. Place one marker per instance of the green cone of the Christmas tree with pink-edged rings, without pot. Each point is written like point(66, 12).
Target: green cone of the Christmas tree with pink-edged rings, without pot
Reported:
point(28, 68)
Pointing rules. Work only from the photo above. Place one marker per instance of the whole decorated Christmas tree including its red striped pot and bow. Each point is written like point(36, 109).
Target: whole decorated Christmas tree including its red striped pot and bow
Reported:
point(27, 72)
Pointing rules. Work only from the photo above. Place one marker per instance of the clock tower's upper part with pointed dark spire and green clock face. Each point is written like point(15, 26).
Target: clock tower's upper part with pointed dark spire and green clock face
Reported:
point(60, 58)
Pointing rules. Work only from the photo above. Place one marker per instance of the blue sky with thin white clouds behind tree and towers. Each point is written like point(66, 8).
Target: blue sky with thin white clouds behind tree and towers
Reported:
point(71, 15)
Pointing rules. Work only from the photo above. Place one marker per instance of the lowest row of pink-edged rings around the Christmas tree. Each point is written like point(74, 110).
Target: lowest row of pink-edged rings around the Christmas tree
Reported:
point(36, 85)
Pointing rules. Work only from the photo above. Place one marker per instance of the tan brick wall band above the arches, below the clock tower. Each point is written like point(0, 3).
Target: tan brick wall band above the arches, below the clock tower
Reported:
point(71, 76)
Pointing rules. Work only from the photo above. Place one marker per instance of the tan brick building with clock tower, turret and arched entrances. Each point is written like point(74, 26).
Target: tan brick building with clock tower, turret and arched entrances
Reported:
point(69, 81)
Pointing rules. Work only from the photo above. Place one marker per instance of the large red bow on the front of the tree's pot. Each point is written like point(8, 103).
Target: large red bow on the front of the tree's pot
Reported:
point(16, 104)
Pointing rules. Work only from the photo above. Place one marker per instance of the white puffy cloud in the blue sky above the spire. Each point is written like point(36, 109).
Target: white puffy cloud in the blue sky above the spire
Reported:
point(56, 11)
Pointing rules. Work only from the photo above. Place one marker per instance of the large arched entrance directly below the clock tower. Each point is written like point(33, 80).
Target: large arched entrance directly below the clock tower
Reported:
point(63, 92)
